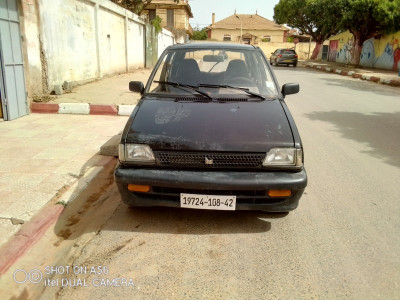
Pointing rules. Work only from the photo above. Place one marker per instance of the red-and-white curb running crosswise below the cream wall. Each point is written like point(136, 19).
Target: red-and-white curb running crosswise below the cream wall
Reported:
point(82, 109)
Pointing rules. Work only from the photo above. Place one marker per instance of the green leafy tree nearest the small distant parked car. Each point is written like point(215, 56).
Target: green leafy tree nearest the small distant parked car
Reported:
point(317, 18)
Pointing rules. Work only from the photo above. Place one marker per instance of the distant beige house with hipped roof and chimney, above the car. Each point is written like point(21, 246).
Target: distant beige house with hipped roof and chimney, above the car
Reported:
point(248, 29)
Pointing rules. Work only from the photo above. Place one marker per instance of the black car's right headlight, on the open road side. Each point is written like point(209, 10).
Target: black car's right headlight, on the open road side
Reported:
point(283, 157)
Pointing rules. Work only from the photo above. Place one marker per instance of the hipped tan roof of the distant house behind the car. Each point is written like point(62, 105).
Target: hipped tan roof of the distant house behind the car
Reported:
point(255, 22)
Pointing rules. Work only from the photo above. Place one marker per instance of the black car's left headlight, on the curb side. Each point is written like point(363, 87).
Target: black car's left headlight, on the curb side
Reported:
point(135, 153)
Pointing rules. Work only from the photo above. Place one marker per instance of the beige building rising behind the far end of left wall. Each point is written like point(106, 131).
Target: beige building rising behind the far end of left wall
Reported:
point(175, 17)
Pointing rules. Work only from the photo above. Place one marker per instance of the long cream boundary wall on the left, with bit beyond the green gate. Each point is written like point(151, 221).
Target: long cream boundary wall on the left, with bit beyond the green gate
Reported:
point(80, 40)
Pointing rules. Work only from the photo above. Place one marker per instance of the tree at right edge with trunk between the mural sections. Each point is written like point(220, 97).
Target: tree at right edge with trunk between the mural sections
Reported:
point(368, 18)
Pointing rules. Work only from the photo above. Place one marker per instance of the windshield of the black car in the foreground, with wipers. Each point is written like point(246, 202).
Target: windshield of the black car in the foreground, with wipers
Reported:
point(217, 72)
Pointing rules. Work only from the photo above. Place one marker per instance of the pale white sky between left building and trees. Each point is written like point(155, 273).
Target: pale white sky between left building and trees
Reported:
point(202, 9)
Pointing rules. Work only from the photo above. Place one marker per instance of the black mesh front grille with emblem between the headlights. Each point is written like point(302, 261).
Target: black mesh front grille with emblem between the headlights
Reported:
point(209, 160)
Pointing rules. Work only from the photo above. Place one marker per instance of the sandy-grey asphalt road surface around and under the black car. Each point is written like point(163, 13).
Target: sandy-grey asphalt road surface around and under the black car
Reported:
point(342, 242)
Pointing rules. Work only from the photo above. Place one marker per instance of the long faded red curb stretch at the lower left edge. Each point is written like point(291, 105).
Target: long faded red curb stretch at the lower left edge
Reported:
point(29, 234)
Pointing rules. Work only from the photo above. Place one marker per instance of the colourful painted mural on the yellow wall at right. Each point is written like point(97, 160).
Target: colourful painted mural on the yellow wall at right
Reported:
point(382, 53)
